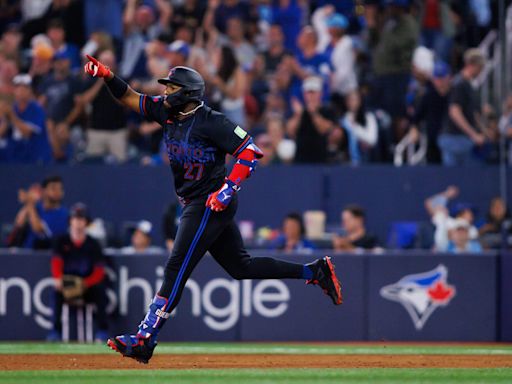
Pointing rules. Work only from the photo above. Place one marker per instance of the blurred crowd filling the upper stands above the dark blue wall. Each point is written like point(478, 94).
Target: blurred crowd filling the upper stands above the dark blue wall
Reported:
point(313, 81)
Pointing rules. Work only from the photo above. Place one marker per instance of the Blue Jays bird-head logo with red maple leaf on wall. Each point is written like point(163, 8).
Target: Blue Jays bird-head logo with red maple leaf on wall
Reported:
point(421, 294)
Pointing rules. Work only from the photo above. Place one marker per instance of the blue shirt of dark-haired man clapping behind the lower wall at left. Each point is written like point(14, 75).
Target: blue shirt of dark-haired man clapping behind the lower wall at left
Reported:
point(55, 222)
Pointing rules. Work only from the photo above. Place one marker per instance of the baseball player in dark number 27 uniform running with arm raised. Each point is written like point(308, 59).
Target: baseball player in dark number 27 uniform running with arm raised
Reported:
point(197, 141)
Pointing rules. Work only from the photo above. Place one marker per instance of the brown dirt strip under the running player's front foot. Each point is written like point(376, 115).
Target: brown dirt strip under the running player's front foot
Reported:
point(88, 362)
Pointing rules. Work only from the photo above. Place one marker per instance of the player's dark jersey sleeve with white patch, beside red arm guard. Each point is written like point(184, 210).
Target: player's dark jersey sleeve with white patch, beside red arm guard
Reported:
point(228, 136)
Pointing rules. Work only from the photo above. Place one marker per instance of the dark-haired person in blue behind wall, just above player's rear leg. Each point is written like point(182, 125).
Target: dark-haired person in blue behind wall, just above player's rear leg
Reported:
point(293, 237)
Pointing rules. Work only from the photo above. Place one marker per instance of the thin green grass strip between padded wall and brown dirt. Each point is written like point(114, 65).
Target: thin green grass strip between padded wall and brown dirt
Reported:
point(266, 348)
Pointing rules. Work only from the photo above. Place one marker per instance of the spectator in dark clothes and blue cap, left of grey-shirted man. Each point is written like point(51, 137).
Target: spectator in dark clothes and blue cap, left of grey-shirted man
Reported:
point(432, 111)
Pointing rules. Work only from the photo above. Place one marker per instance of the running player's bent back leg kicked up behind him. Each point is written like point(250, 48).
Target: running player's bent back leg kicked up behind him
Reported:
point(229, 251)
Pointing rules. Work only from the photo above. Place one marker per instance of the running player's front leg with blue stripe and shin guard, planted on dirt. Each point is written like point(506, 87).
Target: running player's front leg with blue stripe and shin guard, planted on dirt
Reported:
point(198, 228)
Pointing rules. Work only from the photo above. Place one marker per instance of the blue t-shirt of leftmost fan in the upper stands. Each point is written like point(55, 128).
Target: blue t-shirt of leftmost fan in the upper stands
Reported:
point(36, 148)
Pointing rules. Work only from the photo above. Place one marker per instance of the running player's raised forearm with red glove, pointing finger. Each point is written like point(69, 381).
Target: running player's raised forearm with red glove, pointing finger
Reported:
point(118, 87)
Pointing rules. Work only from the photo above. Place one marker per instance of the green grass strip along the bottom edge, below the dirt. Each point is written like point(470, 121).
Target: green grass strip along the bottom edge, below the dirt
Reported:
point(249, 376)
